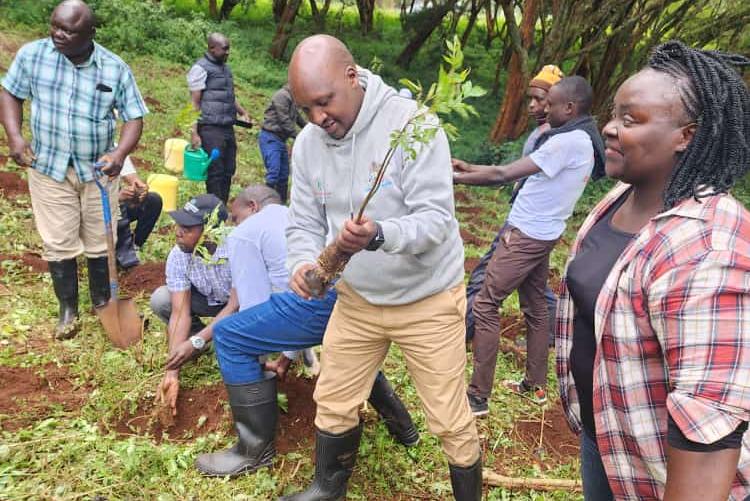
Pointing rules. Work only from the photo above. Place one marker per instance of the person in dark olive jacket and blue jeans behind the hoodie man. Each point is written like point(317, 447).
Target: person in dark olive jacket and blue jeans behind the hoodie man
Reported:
point(279, 124)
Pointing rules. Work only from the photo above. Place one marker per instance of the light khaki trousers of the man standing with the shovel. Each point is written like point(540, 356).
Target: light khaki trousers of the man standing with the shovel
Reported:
point(69, 216)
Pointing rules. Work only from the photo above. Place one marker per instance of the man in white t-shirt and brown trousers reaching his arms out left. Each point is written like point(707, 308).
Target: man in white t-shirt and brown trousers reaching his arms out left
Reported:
point(556, 173)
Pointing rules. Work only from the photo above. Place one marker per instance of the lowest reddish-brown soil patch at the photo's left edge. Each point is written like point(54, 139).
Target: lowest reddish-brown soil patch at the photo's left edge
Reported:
point(29, 394)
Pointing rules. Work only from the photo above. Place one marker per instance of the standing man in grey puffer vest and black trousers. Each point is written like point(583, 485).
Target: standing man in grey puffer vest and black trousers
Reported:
point(212, 92)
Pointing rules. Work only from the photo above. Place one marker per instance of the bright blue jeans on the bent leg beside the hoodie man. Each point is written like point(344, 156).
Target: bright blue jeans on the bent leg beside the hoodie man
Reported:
point(284, 322)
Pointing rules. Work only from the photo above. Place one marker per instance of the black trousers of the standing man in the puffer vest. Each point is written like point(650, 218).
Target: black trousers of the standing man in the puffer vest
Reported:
point(222, 169)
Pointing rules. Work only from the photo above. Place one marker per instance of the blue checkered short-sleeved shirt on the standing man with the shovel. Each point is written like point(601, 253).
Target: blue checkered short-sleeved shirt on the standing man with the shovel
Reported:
point(72, 117)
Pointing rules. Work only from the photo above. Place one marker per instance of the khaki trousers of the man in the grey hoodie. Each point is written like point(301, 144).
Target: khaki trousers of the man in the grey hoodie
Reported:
point(430, 333)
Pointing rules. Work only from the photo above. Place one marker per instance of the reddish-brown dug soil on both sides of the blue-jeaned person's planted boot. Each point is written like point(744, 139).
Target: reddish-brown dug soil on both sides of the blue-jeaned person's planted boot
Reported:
point(203, 410)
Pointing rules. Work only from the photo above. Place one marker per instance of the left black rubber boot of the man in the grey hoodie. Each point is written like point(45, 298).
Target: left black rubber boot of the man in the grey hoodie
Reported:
point(335, 457)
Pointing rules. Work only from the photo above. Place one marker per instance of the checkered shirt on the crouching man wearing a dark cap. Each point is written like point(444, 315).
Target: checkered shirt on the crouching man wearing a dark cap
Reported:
point(185, 270)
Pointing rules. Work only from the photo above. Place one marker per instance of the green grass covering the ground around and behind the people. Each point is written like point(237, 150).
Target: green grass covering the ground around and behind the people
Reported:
point(77, 454)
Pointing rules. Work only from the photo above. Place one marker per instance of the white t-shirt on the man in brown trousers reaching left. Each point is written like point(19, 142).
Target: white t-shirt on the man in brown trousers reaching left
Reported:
point(548, 197)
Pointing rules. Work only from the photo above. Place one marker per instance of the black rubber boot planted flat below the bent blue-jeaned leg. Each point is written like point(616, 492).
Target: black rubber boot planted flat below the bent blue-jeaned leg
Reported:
point(255, 412)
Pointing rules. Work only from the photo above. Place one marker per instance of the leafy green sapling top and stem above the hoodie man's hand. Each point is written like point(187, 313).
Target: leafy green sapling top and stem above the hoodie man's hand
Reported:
point(444, 97)
